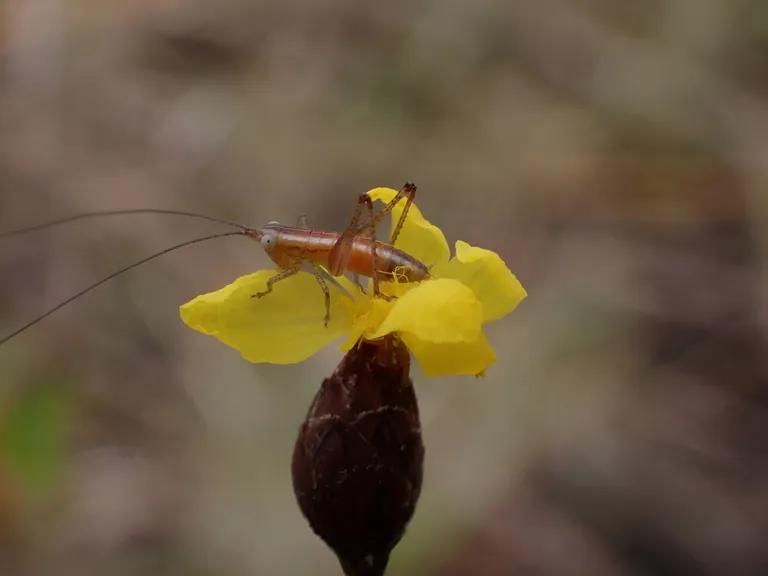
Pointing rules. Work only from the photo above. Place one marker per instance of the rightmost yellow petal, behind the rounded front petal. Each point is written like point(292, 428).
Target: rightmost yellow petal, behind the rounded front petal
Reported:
point(488, 276)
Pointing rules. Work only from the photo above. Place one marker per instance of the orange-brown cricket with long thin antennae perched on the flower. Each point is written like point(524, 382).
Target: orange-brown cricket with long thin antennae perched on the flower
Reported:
point(325, 254)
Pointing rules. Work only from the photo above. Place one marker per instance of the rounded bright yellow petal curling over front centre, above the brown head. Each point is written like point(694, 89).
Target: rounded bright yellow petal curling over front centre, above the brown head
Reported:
point(441, 310)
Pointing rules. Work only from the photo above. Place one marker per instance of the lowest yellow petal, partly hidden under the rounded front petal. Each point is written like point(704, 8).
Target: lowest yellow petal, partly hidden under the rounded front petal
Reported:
point(454, 358)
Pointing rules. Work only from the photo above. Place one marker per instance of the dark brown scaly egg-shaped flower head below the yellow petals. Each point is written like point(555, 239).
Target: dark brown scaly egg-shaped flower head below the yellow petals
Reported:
point(357, 463)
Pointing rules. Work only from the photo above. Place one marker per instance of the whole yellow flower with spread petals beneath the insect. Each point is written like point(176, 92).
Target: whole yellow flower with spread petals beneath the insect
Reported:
point(440, 320)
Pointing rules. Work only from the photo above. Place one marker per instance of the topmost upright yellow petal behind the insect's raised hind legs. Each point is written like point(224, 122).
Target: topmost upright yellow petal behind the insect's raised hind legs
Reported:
point(418, 237)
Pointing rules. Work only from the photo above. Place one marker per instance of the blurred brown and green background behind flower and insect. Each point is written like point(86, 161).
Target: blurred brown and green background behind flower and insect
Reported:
point(614, 153)
